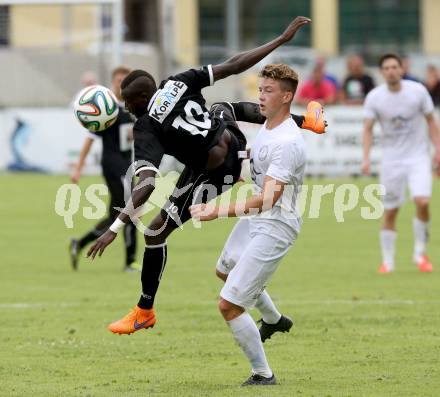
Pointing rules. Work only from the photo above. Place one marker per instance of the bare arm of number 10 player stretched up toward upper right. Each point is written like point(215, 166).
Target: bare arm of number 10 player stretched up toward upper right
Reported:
point(243, 61)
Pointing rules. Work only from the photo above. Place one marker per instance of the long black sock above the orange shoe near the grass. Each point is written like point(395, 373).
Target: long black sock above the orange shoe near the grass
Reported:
point(154, 262)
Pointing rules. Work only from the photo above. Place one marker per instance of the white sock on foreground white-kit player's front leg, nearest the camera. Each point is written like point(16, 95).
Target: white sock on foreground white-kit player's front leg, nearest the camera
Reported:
point(248, 338)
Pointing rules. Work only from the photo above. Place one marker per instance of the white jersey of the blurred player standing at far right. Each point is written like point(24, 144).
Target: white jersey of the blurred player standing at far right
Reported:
point(401, 116)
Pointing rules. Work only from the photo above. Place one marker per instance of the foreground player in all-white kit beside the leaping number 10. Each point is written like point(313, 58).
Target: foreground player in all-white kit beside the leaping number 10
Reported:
point(258, 243)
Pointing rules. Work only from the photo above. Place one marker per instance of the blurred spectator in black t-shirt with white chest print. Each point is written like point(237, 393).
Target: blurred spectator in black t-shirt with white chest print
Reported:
point(357, 84)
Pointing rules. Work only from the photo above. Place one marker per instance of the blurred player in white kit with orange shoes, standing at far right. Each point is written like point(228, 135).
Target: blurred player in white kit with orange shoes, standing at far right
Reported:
point(401, 107)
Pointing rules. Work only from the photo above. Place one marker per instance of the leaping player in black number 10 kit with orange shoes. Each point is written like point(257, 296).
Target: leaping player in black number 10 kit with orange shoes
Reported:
point(173, 119)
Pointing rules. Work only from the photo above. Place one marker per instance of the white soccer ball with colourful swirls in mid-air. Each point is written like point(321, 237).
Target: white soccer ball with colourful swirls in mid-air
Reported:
point(96, 108)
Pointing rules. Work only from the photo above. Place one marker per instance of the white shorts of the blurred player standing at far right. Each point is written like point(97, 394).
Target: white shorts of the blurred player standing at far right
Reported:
point(396, 176)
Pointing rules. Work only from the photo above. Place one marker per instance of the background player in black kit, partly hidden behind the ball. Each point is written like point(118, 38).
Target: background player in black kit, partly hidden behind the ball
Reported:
point(115, 160)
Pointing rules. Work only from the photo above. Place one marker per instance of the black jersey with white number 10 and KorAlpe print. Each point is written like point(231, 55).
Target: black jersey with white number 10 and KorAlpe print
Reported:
point(178, 123)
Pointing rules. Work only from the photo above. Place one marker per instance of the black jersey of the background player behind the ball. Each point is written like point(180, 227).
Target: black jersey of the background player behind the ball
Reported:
point(116, 142)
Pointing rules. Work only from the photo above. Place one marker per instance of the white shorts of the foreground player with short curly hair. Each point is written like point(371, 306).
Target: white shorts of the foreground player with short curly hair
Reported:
point(250, 257)
